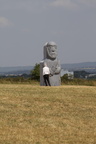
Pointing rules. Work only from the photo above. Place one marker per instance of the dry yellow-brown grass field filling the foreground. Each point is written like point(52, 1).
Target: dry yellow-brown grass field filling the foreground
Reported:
point(47, 115)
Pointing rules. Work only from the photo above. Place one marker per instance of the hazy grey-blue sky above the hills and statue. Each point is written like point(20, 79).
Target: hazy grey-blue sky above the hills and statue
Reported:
point(26, 25)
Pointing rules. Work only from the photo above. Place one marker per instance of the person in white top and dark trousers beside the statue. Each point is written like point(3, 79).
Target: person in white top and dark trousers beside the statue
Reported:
point(46, 73)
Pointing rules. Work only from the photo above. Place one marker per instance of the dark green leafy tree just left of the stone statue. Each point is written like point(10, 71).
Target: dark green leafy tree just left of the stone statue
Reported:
point(35, 73)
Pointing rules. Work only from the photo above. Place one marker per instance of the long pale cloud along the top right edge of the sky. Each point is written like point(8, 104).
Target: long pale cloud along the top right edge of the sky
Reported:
point(73, 4)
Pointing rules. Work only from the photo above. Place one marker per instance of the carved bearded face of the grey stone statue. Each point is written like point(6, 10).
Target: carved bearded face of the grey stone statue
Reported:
point(52, 51)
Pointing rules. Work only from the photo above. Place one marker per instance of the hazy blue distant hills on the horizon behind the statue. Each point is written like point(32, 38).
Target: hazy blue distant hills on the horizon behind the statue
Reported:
point(87, 66)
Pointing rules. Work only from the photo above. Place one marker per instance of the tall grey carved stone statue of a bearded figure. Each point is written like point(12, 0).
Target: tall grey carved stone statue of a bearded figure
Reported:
point(50, 58)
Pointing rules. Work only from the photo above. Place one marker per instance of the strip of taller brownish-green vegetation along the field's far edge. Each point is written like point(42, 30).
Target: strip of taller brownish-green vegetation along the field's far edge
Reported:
point(21, 80)
